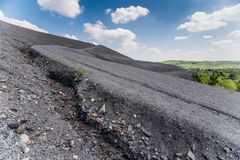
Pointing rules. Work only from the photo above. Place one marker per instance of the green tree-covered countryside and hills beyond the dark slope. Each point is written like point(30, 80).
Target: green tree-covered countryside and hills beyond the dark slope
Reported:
point(224, 74)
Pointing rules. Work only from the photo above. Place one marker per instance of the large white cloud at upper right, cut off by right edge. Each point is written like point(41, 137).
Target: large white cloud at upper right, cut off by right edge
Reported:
point(202, 21)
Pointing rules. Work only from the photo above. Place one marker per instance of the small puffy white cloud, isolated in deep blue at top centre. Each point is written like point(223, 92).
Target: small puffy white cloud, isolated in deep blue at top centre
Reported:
point(132, 13)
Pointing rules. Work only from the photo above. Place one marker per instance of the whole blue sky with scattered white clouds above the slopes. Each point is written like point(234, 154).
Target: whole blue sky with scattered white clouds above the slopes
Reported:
point(153, 30)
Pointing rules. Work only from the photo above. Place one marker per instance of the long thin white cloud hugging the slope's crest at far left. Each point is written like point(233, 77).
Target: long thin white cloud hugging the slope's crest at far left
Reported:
point(21, 23)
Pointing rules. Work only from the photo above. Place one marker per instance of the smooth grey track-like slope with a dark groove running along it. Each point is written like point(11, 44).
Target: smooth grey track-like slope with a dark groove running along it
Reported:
point(215, 111)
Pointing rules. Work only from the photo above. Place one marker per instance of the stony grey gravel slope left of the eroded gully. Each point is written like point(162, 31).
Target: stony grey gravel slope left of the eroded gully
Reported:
point(37, 115)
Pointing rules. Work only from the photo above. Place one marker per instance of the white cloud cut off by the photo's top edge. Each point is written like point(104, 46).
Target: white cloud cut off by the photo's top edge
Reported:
point(67, 8)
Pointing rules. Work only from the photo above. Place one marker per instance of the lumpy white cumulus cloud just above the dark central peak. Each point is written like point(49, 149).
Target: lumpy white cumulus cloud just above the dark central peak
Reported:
point(123, 37)
